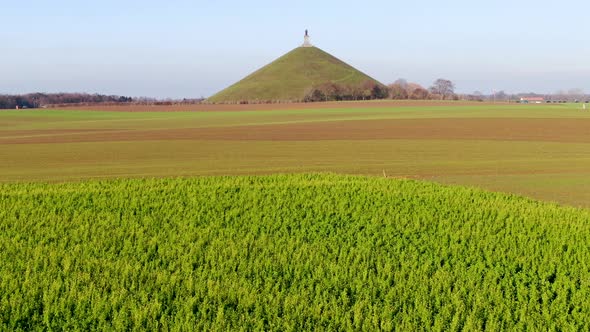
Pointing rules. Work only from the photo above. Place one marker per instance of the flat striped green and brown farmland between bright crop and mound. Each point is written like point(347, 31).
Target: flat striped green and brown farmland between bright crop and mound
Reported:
point(541, 151)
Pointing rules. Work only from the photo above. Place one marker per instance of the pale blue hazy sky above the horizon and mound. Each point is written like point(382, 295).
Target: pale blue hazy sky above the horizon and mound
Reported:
point(192, 49)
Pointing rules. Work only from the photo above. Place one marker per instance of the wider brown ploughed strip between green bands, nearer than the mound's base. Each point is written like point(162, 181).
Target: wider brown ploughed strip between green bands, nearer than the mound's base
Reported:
point(550, 130)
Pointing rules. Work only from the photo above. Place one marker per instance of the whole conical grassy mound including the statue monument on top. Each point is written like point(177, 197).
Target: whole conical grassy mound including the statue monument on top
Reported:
point(305, 73)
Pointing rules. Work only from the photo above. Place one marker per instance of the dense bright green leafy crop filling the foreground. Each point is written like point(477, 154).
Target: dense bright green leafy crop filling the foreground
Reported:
point(288, 252)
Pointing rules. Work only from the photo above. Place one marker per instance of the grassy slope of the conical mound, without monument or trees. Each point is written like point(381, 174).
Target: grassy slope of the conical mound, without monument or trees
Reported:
point(291, 76)
